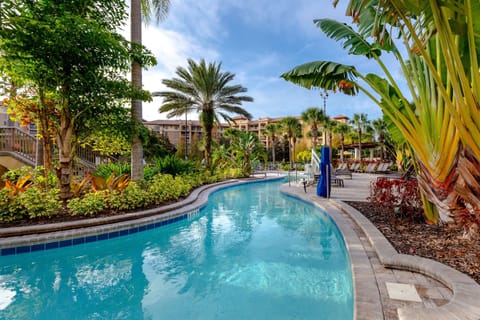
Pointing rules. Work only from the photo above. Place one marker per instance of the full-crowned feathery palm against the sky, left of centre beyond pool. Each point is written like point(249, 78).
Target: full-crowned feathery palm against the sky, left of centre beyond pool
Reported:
point(204, 88)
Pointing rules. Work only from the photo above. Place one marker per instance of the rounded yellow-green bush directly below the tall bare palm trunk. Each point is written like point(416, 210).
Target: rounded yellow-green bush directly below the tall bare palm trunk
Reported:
point(132, 197)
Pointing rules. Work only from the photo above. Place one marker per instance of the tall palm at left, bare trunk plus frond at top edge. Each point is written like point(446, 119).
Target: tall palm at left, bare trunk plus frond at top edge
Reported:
point(160, 9)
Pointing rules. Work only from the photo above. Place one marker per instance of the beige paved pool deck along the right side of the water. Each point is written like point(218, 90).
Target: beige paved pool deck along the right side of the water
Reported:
point(389, 285)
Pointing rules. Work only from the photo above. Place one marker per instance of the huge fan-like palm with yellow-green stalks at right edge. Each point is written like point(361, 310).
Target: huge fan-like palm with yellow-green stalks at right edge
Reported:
point(440, 122)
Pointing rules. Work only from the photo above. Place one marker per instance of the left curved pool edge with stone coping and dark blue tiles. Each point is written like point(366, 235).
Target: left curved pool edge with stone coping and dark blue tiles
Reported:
point(17, 240)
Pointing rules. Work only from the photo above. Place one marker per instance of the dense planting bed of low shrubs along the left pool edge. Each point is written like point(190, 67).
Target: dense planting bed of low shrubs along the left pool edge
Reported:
point(28, 195)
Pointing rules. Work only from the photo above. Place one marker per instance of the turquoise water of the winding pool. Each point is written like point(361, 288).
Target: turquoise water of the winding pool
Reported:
point(251, 253)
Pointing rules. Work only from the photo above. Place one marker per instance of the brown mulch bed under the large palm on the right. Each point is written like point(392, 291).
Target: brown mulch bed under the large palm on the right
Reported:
point(445, 244)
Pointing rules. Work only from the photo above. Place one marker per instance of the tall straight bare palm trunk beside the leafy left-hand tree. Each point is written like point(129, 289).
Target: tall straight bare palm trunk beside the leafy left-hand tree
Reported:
point(136, 111)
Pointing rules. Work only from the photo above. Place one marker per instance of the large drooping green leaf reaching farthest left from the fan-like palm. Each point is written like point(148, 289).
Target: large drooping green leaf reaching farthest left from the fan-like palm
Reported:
point(325, 75)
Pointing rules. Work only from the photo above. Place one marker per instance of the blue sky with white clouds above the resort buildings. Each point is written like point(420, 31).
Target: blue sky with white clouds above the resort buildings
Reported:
point(257, 40)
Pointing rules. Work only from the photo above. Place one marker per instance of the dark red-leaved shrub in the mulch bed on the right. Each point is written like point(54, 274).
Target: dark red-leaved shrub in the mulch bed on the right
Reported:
point(400, 197)
